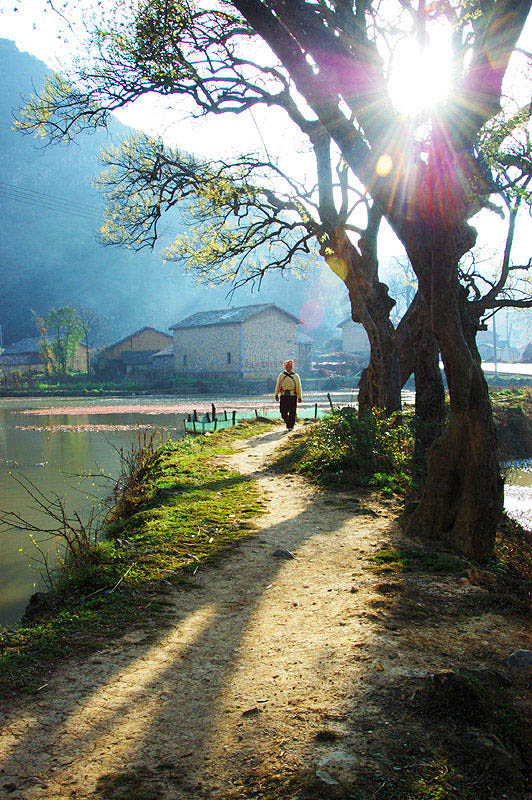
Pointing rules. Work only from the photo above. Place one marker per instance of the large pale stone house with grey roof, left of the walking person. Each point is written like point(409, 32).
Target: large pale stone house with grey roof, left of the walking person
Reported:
point(248, 341)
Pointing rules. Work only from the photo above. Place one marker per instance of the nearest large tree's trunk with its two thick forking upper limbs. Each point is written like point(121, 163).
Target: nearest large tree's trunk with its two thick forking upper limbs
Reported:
point(427, 198)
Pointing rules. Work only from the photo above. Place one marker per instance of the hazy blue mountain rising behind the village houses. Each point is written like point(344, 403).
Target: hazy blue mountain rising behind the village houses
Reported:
point(50, 256)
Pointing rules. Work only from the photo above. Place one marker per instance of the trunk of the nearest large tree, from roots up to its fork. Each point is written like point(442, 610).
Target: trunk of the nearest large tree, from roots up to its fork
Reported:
point(462, 499)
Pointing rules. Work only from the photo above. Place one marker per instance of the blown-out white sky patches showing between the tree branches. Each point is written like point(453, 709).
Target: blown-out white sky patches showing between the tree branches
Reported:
point(39, 31)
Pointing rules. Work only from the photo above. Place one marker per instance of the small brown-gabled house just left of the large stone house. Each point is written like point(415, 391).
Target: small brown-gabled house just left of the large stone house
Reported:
point(133, 354)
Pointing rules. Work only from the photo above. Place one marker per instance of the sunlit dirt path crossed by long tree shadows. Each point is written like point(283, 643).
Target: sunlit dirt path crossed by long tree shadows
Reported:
point(270, 665)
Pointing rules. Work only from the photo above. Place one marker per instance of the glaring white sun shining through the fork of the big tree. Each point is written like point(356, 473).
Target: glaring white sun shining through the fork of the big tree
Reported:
point(420, 76)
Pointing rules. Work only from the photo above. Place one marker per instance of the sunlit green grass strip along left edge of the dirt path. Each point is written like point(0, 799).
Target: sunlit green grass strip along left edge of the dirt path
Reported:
point(179, 487)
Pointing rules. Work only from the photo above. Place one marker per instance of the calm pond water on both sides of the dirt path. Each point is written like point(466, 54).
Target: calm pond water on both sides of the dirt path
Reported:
point(52, 442)
